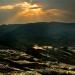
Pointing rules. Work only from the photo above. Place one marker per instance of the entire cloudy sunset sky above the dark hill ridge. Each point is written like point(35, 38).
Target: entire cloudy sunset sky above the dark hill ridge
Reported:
point(31, 11)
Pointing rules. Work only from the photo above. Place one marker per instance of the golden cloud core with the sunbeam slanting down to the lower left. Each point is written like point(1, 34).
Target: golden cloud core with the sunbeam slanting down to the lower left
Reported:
point(27, 10)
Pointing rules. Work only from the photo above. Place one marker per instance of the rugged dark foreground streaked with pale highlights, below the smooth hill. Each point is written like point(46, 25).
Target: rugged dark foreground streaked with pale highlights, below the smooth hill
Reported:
point(24, 61)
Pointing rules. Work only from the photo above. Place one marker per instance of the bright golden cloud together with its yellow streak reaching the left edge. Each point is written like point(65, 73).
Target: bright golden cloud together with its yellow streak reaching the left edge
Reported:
point(24, 7)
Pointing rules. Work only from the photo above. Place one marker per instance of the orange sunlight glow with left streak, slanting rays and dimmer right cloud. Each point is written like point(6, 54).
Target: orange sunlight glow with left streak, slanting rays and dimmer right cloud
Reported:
point(30, 12)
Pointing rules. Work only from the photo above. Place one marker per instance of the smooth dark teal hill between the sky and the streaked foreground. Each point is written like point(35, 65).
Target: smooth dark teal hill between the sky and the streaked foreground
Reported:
point(20, 35)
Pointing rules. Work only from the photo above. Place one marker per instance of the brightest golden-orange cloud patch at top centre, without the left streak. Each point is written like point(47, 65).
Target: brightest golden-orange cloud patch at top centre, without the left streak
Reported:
point(29, 9)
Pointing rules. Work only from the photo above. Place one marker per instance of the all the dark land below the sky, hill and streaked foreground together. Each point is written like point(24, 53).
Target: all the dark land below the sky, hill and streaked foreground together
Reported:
point(46, 48)
